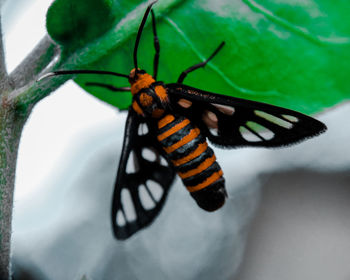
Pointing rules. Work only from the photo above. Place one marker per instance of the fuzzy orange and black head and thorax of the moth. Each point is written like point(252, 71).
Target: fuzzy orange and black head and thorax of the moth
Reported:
point(150, 98)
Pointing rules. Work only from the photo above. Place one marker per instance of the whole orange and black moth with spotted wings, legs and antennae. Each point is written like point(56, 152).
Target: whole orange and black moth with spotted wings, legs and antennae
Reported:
point(179, 119)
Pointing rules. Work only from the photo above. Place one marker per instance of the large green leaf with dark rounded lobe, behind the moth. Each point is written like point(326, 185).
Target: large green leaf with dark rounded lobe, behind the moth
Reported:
point(292, 53)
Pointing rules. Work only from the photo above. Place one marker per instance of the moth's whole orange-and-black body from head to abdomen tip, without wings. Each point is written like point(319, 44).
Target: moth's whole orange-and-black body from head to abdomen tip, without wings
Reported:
point(182, 141)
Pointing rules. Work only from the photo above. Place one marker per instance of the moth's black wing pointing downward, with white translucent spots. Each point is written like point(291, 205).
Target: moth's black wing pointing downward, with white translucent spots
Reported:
point(143, 180)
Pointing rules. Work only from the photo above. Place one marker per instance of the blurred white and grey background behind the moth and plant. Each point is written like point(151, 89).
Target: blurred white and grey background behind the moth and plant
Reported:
point(287, 216)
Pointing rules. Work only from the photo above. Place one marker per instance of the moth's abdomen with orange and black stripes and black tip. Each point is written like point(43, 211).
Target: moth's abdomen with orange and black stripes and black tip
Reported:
point(193, 160)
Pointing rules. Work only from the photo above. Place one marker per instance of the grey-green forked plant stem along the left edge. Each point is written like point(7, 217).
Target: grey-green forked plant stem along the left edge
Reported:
point(13, 116)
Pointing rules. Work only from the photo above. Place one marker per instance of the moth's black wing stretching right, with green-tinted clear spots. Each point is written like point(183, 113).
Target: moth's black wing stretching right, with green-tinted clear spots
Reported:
point(232, 122)
